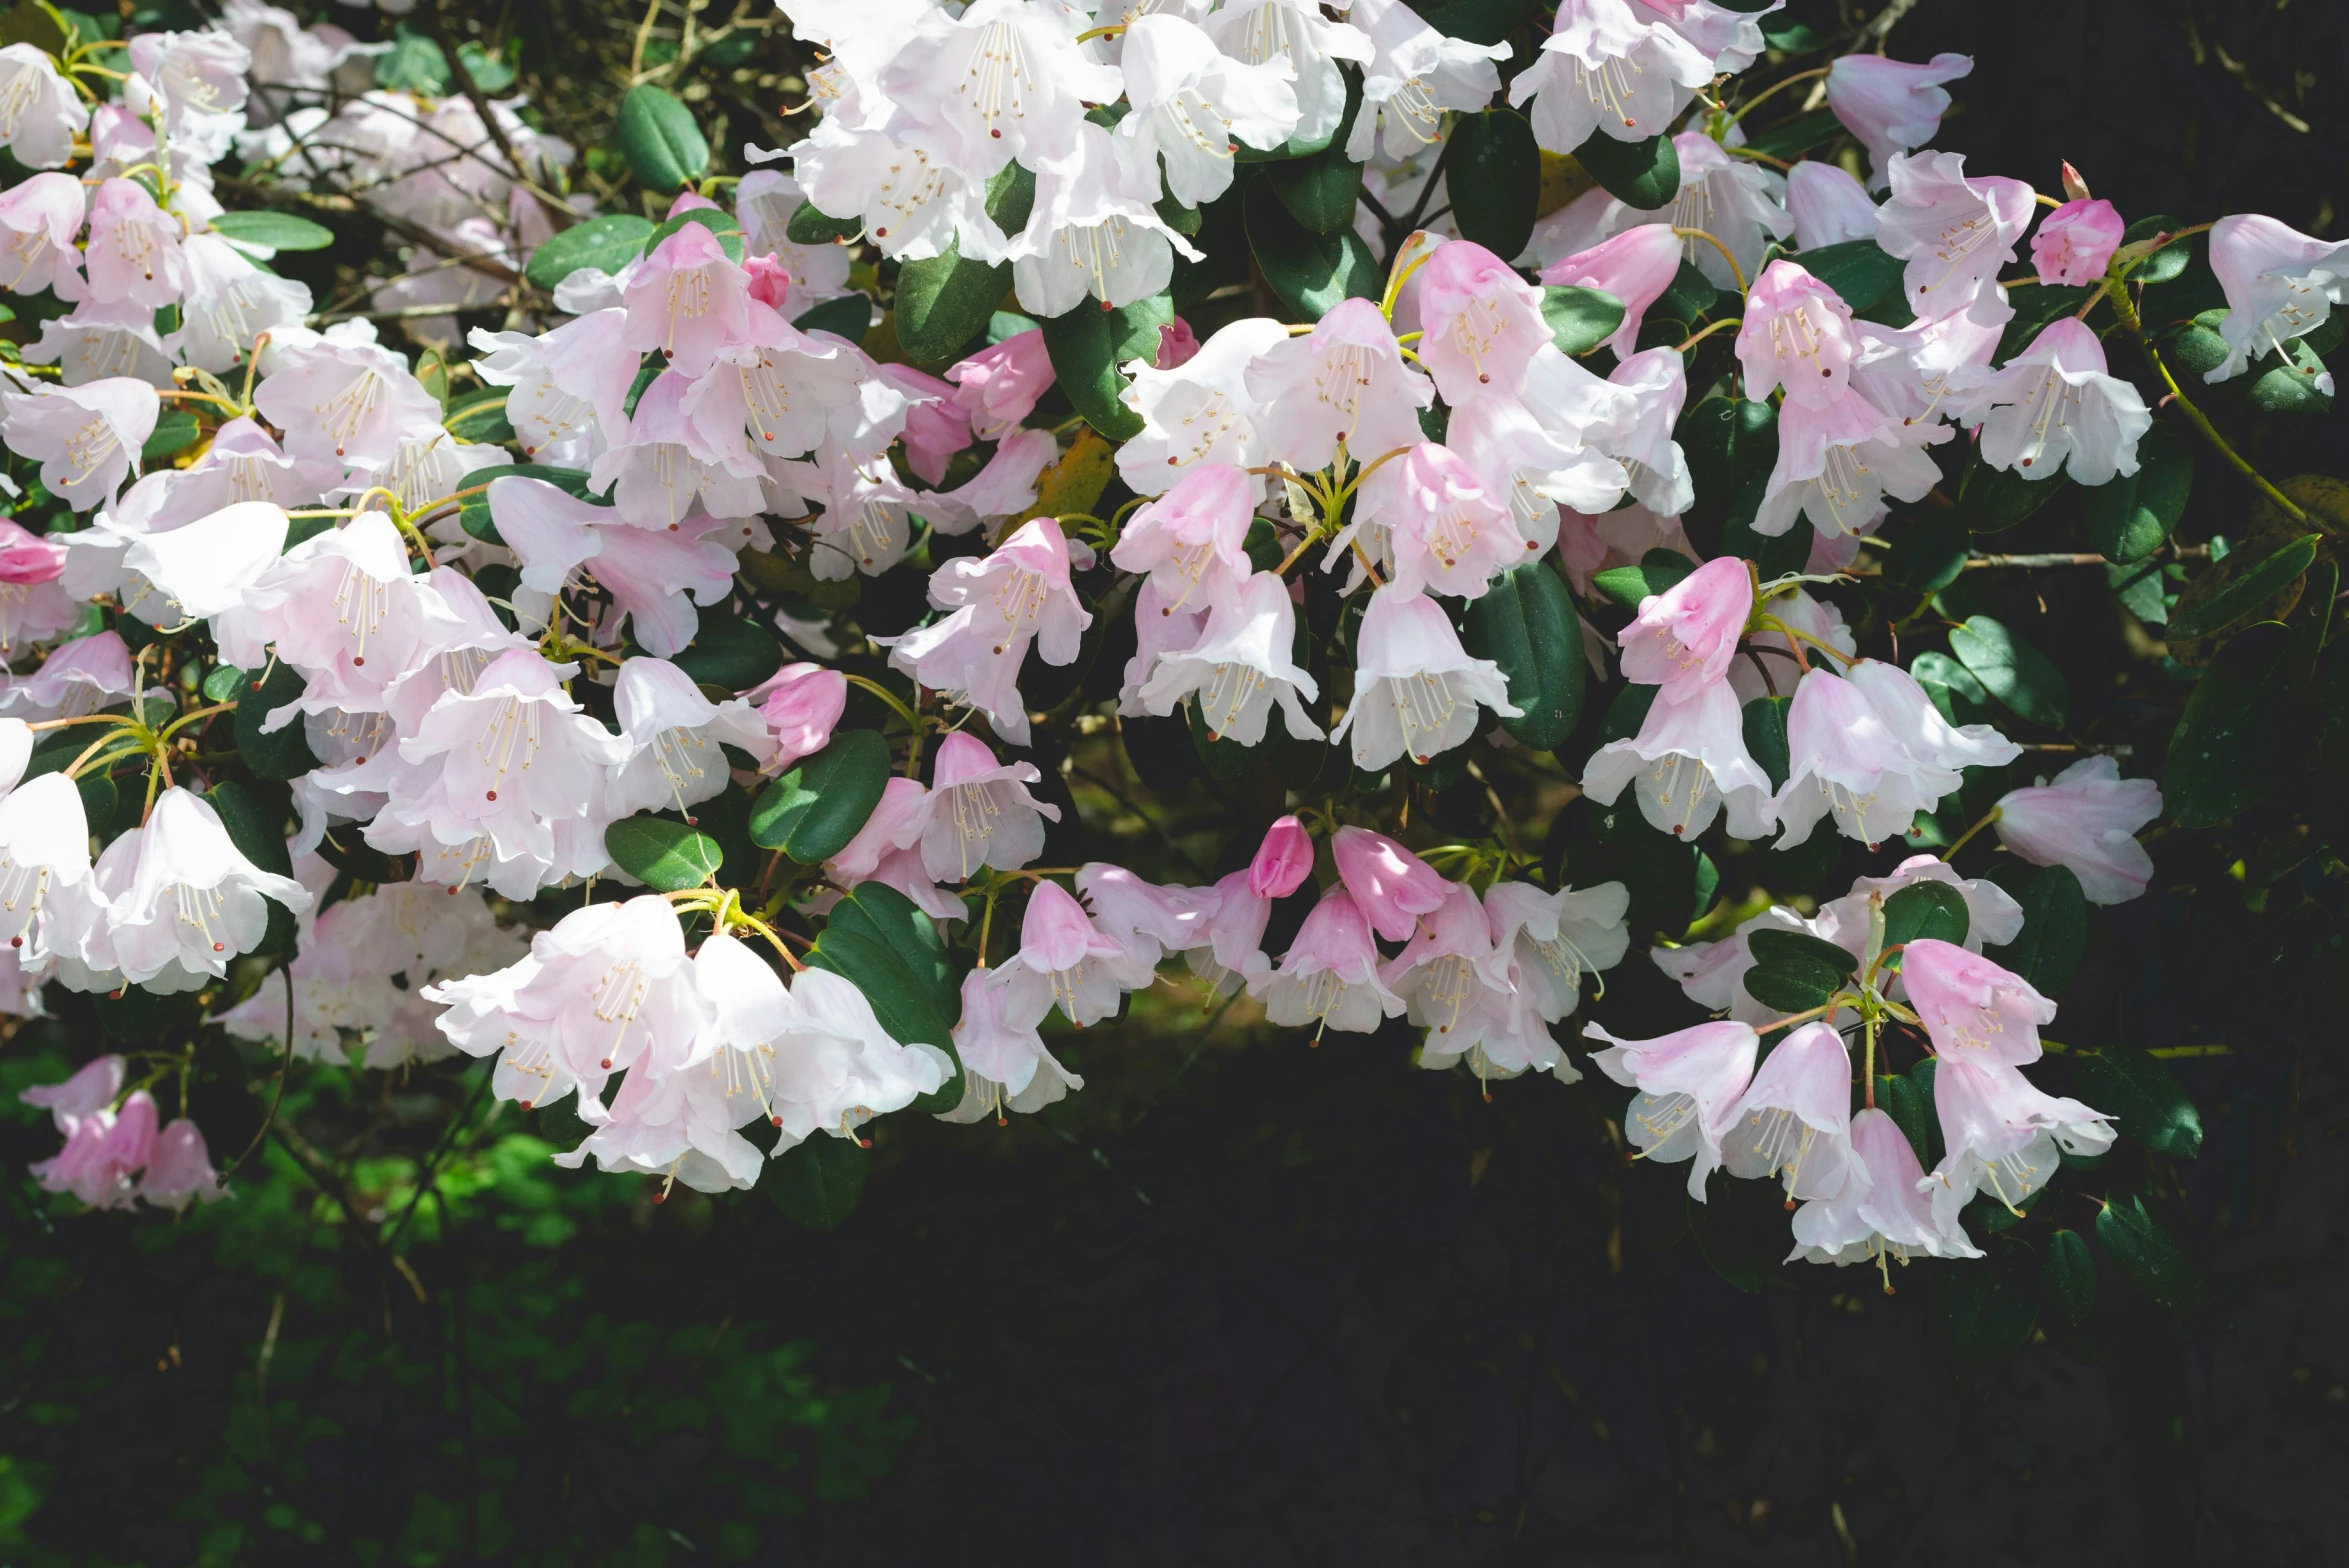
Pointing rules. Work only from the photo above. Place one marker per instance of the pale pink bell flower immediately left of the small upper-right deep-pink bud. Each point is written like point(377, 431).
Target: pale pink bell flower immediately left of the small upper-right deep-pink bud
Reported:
point(1956, 234)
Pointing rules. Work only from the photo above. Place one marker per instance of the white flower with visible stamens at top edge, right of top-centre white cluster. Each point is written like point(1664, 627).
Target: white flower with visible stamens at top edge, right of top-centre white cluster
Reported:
point(1615, 69)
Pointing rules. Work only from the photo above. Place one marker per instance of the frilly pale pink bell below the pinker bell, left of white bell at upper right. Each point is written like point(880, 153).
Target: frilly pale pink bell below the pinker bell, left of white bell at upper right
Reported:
point(1838, 464)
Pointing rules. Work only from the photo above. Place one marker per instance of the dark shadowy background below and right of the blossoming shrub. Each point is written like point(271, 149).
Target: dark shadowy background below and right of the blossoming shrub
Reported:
point(1246, 1302)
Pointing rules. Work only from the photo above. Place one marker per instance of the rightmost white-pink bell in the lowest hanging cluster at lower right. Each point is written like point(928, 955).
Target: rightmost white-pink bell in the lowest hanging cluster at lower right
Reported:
point(2003, 1135)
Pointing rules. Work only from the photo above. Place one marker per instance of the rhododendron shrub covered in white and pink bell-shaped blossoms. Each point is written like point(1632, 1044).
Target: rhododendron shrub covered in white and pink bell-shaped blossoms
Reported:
point(1490, 541)
